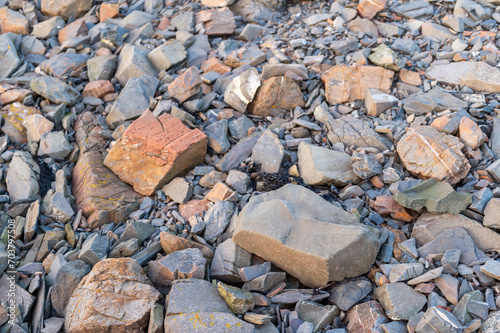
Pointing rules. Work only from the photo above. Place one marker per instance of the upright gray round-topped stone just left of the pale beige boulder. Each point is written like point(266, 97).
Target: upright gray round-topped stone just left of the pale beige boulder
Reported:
point(268, 152)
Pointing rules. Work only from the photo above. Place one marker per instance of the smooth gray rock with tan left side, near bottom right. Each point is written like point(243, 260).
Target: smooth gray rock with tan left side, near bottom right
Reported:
point(400, 301)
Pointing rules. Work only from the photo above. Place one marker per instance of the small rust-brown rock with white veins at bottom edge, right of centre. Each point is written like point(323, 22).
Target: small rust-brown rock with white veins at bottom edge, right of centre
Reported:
point(364, 317)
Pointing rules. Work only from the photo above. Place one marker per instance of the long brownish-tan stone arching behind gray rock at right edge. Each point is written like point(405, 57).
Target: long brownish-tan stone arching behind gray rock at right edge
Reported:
point(429, 226)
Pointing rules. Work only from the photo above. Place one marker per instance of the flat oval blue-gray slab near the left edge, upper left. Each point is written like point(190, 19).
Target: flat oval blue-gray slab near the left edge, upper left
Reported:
point(55, 90)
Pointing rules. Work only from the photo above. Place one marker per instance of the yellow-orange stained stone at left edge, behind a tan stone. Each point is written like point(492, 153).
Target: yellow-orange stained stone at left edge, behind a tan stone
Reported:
point(14, 115)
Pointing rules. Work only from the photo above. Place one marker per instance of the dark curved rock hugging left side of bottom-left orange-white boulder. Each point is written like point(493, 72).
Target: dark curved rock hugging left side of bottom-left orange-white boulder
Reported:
point(67, 279)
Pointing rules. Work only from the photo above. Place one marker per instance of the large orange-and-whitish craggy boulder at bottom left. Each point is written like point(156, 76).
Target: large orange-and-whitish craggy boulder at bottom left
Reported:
point(116, 296)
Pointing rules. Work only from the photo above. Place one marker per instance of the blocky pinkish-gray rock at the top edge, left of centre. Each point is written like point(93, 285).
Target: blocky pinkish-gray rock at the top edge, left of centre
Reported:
point(217, 22)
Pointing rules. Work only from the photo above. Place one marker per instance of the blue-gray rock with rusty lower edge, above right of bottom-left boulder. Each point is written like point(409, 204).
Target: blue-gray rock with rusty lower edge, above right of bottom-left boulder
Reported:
point(183, 264)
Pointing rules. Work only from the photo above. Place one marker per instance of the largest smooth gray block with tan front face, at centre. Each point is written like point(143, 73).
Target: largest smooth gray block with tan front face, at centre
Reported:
point(292, 223)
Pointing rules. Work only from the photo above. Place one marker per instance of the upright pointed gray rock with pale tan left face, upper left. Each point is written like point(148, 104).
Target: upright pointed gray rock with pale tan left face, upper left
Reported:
point(133, 63)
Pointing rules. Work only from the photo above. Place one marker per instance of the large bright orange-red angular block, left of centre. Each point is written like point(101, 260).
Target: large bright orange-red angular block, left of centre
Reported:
point(153, 151)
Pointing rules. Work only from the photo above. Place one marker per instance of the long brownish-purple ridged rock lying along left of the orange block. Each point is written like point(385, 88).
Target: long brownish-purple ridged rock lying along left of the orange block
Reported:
point(102, 196)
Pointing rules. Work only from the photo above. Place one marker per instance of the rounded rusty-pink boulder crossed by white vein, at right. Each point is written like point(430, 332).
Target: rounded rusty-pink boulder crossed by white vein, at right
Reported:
point(427, 153)
